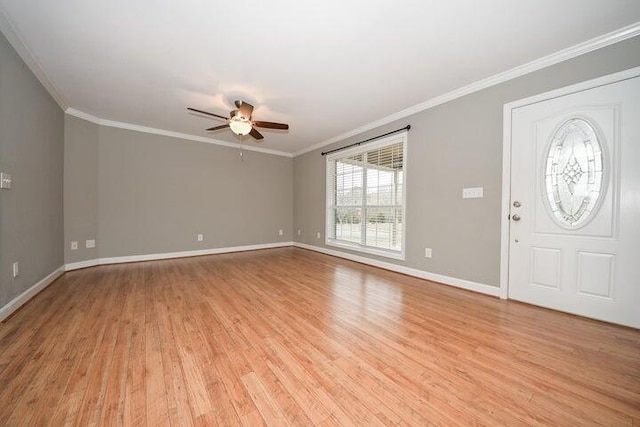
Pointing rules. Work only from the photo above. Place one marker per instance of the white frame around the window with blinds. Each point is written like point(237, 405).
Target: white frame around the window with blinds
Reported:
point(330, 239)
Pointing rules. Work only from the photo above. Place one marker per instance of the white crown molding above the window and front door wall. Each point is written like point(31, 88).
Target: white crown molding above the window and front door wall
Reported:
point(613, 37)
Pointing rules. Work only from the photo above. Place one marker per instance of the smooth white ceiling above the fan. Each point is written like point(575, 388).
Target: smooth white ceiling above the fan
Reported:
point(325, 67)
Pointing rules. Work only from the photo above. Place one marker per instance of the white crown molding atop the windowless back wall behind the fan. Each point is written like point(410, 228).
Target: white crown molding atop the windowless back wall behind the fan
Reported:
point(144, 129)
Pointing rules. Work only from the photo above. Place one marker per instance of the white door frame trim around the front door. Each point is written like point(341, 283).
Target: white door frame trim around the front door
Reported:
point(506, 157)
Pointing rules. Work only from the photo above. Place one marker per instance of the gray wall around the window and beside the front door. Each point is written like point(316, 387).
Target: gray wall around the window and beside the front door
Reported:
point(452, 146)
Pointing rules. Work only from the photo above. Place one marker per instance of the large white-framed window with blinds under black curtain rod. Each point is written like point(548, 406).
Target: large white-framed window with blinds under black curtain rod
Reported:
point(366, 197)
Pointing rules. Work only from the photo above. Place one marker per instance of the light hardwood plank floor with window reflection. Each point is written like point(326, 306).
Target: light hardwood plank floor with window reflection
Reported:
point(292, 337)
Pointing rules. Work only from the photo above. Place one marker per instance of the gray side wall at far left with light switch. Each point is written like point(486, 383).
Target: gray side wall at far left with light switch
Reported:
point(31, 150)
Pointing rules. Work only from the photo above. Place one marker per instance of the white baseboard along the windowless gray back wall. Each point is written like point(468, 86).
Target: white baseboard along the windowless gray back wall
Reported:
point(168, 255)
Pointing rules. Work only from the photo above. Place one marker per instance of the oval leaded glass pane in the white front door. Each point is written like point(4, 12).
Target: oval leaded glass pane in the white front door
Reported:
point(573, 178)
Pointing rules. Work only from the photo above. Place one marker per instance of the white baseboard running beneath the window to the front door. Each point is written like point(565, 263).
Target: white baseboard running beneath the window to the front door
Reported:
point(451, 281)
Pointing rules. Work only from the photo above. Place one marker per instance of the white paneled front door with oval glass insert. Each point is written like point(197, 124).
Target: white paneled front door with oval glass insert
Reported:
point(574, 234)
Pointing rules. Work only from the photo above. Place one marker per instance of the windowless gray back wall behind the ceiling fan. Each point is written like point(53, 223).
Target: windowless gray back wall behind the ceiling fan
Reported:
point(138, 193)
